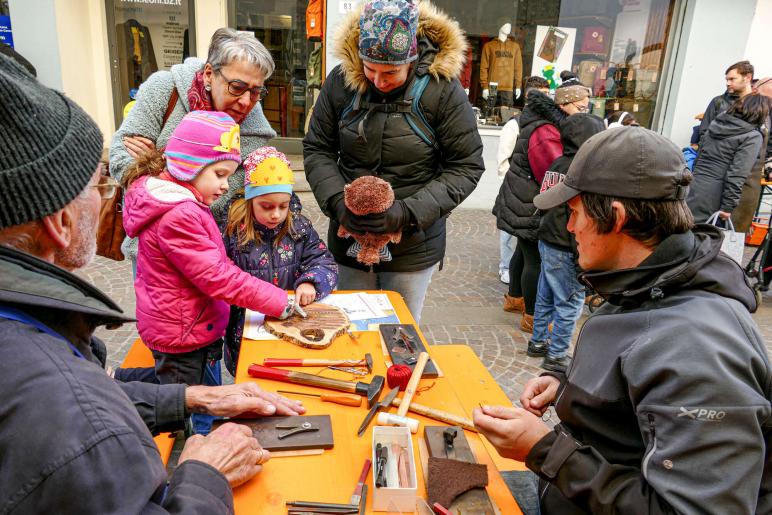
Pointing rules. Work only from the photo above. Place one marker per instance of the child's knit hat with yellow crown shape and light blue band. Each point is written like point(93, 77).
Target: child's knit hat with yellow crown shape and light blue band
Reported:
point(267, 170)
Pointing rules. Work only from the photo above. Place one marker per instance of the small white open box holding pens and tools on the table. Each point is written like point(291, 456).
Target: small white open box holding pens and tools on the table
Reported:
point(394, 499)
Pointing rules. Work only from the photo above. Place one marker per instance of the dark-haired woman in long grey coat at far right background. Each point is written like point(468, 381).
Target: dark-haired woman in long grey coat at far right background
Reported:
point(727, 155)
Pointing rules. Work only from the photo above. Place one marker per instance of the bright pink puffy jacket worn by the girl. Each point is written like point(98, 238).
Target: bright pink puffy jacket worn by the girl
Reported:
point(185, 280)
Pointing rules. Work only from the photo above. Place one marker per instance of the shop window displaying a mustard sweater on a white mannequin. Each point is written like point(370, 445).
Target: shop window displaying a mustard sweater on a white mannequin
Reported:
point(616, 47)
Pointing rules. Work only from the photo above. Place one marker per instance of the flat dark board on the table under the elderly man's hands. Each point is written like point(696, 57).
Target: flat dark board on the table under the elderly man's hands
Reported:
point(264, 429)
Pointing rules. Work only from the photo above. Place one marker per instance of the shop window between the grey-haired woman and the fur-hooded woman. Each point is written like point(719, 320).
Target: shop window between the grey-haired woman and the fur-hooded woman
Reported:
point(292, 30)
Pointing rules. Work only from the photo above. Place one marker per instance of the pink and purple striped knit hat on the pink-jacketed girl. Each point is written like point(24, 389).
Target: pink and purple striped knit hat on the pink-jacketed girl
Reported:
point(201, 138)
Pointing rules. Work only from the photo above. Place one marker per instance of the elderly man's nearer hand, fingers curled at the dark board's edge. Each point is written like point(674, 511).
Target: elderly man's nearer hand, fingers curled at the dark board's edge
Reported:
point(231, 449)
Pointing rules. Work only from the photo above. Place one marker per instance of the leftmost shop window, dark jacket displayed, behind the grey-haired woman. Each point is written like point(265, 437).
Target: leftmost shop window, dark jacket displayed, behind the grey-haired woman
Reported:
point(146, 36)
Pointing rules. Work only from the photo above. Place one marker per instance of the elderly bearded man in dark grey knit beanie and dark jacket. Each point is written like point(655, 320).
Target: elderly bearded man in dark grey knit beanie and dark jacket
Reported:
point(72, 439)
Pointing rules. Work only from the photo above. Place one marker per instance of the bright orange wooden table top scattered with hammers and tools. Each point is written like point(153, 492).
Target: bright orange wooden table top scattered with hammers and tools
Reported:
point(332, 476)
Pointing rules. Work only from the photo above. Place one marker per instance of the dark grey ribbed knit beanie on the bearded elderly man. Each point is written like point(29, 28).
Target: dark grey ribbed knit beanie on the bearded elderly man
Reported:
point(49, 147)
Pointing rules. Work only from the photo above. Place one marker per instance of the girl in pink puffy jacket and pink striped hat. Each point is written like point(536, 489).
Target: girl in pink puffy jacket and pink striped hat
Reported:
point(185, 281)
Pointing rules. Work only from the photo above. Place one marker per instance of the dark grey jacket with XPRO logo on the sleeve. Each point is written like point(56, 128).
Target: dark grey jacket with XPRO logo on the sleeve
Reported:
point(666, 407)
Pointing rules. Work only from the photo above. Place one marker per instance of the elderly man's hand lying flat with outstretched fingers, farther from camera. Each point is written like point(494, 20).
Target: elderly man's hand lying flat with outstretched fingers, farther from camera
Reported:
point(239, 399)
